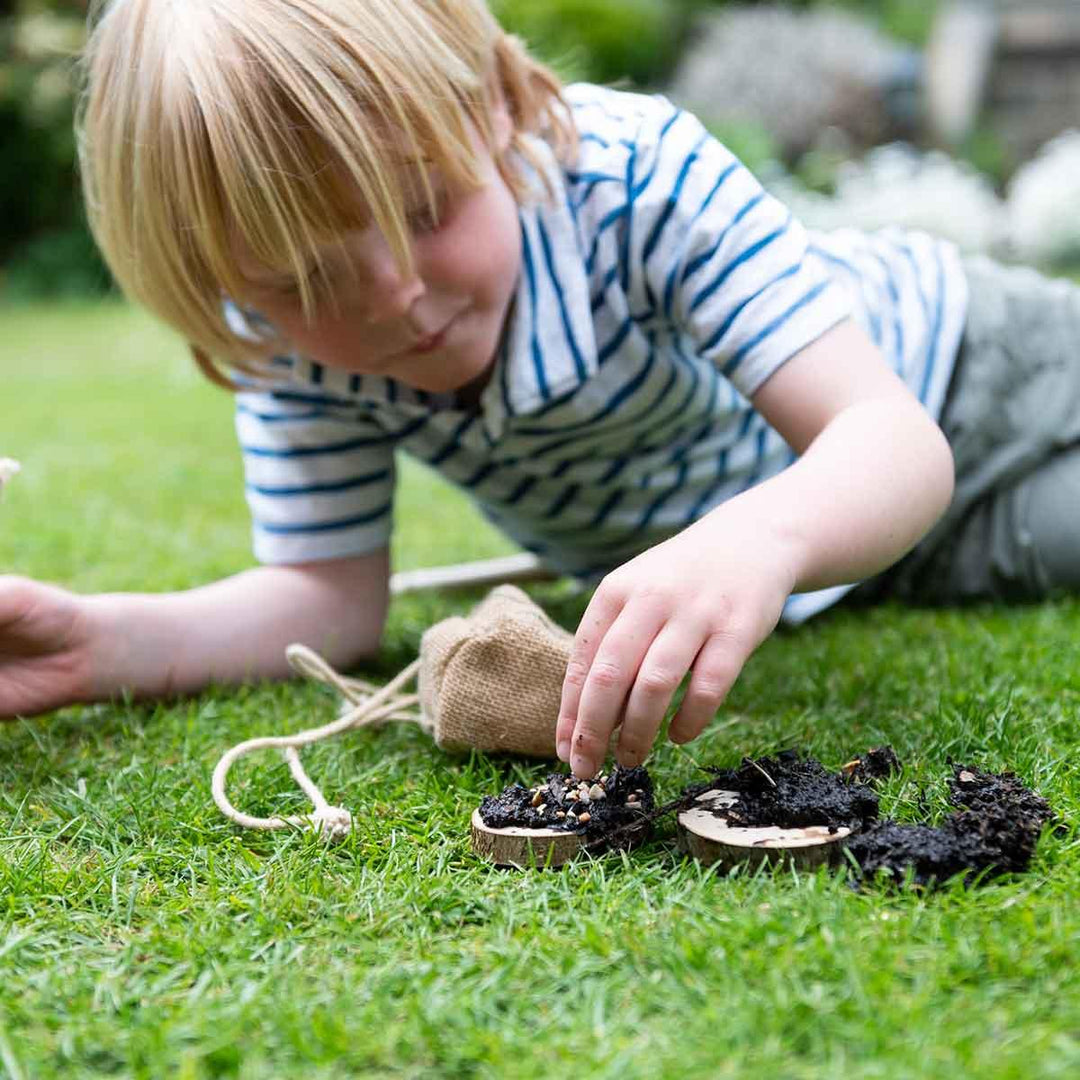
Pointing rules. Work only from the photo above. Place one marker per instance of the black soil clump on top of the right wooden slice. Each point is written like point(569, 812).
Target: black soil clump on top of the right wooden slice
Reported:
point(793, 792)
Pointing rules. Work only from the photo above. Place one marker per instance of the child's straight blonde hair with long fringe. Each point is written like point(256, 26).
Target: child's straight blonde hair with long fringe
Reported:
point(204, 123)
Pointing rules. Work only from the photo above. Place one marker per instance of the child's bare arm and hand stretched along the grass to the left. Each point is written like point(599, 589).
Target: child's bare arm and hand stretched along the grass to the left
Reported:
point(58, 649)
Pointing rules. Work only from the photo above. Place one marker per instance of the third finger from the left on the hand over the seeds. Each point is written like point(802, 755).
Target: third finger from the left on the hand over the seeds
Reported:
point(658, 679)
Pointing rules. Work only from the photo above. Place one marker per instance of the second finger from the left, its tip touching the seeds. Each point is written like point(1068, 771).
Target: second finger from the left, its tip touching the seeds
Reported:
point(606, 686)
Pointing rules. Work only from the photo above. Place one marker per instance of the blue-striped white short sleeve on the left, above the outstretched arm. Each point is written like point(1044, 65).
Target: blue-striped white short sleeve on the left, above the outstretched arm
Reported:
point(319, 478)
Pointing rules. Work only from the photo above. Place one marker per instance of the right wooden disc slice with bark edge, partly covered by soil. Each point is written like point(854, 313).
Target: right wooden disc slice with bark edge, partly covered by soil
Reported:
point(709, 839)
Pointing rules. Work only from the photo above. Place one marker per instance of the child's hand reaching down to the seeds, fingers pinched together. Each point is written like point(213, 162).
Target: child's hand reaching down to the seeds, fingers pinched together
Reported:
point(704, 600)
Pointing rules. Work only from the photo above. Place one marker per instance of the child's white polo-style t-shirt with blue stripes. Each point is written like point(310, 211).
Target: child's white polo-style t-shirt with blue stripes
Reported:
point(659, 290)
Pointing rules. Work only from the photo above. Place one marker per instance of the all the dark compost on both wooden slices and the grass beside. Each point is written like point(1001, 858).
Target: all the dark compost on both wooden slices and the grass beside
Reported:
point(994, 830)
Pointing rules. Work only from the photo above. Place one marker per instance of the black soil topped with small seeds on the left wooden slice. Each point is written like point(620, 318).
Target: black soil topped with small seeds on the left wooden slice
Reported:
point(610, 806)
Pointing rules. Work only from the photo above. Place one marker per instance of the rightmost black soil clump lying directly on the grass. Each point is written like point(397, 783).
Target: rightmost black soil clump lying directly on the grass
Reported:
point(994, 832)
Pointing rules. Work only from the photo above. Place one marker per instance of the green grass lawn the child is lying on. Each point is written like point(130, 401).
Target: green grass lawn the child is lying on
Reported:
point(142, 935)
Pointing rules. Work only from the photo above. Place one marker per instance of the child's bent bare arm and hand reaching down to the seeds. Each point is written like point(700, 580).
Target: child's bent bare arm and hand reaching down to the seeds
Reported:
point(875, 475)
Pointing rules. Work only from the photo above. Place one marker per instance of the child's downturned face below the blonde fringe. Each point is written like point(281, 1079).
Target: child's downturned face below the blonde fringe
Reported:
point(437, 330)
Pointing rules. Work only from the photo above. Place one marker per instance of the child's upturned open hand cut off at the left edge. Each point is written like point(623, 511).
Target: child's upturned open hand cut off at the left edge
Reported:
point(45, 649)
